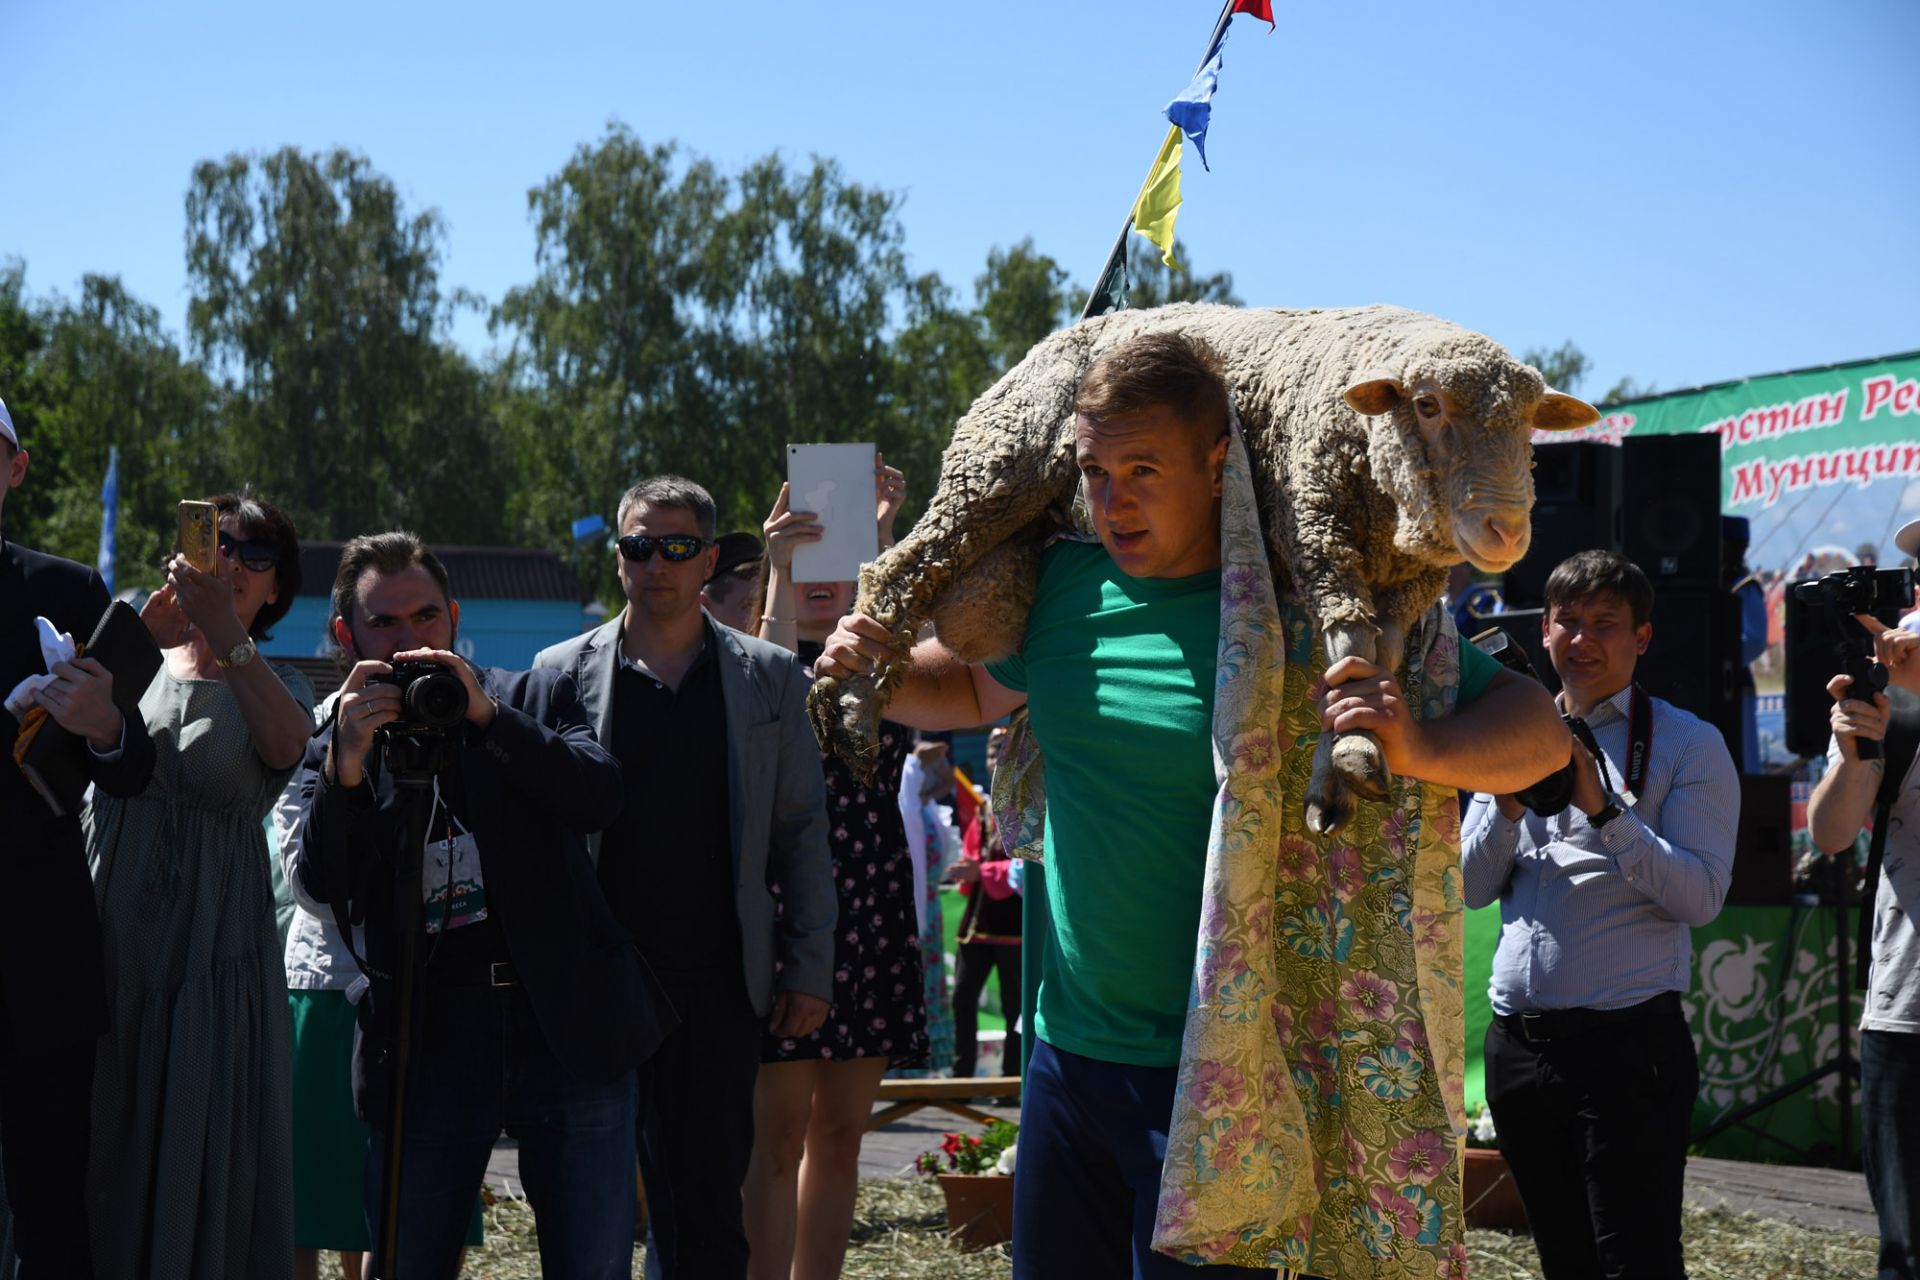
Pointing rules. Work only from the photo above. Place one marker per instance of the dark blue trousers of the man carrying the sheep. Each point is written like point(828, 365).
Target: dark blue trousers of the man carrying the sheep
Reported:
point(1092, 1141)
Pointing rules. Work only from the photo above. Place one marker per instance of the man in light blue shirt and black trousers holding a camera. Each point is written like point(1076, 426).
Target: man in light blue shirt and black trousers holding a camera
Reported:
point(1591, 1066)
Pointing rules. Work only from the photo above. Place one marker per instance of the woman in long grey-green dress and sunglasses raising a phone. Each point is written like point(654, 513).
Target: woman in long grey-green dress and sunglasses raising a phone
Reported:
point(191, 1133)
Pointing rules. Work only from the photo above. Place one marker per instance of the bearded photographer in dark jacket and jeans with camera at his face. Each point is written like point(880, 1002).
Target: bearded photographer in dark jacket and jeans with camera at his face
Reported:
point(527, 1008)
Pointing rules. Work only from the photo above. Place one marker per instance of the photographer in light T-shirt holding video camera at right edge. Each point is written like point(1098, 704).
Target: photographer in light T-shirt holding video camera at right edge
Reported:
point(1890, 1024)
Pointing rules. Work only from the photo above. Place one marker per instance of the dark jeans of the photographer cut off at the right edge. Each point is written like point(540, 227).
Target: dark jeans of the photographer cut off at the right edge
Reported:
point(1890, 1145)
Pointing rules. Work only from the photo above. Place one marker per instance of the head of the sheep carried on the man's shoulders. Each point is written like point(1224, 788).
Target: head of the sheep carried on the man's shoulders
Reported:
point(1452, 442)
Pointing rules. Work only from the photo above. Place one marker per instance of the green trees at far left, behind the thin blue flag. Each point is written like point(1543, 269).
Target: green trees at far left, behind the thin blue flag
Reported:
point(85, 377)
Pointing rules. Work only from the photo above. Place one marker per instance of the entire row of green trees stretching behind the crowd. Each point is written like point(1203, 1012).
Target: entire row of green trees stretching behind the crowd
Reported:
point(679, 320)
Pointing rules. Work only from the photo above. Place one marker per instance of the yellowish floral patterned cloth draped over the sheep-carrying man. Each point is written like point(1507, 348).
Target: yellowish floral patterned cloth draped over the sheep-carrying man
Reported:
point(1322, 1072)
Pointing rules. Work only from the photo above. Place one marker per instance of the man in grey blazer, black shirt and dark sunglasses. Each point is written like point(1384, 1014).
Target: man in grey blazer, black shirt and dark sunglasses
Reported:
point(719, 861)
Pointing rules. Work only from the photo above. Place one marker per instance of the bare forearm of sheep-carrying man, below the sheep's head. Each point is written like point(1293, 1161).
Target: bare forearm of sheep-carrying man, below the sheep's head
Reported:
point(1502, 742)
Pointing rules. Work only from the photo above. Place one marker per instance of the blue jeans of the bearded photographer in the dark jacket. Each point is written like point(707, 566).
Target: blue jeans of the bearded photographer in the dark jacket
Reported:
point(479, 1068)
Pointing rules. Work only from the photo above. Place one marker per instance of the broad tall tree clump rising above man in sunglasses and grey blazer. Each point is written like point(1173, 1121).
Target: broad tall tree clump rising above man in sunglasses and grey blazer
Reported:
point(690, 321)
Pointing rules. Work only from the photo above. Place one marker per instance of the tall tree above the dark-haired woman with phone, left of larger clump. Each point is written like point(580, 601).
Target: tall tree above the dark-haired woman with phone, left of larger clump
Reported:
point(316, 300)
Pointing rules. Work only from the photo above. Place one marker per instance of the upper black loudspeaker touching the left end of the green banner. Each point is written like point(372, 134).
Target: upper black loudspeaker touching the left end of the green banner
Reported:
point(1671, 525)
